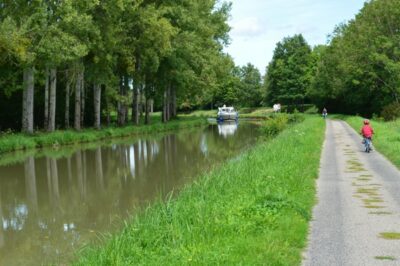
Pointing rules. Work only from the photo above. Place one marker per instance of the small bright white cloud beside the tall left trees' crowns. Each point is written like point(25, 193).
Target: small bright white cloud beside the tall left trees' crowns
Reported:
point(248, 27)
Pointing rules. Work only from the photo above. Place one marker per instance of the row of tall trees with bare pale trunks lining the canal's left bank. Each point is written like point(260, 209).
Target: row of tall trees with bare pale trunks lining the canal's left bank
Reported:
point(90, 57)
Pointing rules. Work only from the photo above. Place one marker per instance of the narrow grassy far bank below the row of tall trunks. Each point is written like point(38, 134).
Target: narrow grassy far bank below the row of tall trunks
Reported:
point(14, 142)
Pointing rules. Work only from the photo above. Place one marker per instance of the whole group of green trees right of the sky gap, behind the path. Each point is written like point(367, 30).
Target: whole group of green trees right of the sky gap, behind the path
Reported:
point(358, 71)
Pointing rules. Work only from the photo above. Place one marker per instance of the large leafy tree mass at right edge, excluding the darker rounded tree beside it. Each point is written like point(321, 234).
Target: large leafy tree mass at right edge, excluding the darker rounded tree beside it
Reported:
point(359, 70)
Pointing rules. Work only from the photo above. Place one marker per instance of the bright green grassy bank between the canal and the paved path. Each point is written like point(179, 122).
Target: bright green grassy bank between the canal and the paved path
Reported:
point(254, 210)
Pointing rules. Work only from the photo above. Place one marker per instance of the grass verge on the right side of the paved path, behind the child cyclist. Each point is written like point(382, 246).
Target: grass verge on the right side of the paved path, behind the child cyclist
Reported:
point(386, 138)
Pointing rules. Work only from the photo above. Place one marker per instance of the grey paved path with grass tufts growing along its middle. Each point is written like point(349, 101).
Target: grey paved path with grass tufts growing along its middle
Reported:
point(358, 199)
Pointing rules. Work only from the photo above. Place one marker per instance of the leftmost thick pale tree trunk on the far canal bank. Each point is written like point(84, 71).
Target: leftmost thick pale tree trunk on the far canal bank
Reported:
point(28, 100)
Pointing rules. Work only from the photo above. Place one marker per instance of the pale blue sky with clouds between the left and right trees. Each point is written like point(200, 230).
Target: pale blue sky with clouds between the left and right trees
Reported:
point(258, 25)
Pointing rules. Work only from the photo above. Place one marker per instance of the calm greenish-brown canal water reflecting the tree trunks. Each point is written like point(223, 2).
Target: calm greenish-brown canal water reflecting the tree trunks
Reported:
point(50, 205)
